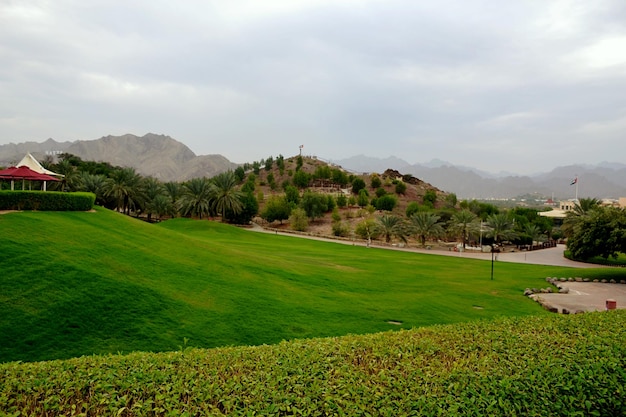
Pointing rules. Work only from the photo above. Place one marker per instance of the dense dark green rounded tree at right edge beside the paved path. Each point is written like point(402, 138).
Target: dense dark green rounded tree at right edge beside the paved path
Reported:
point(601, 232)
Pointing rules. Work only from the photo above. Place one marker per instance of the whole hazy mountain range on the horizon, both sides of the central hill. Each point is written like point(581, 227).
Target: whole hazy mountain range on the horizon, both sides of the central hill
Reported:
point(167, 159)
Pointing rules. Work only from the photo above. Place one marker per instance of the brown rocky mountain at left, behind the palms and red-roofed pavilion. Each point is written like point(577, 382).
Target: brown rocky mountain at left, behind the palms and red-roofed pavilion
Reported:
point(153, 155)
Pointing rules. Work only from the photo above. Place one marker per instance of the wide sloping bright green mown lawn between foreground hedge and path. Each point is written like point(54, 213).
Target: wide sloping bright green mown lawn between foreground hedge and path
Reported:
point(80, 283)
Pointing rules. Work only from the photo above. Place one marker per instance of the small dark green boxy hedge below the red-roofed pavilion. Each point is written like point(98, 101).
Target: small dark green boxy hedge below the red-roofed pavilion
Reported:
point(46, 201)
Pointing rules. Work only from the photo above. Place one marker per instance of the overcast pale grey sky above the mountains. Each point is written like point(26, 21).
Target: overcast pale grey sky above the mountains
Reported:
point(518, 86)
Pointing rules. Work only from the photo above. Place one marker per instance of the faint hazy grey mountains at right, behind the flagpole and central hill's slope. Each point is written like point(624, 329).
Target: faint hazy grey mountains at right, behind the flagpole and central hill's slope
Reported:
point(606, 180)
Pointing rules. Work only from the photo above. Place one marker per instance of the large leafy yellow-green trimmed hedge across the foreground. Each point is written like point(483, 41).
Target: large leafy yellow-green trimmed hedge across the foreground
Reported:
point(549, 365)
